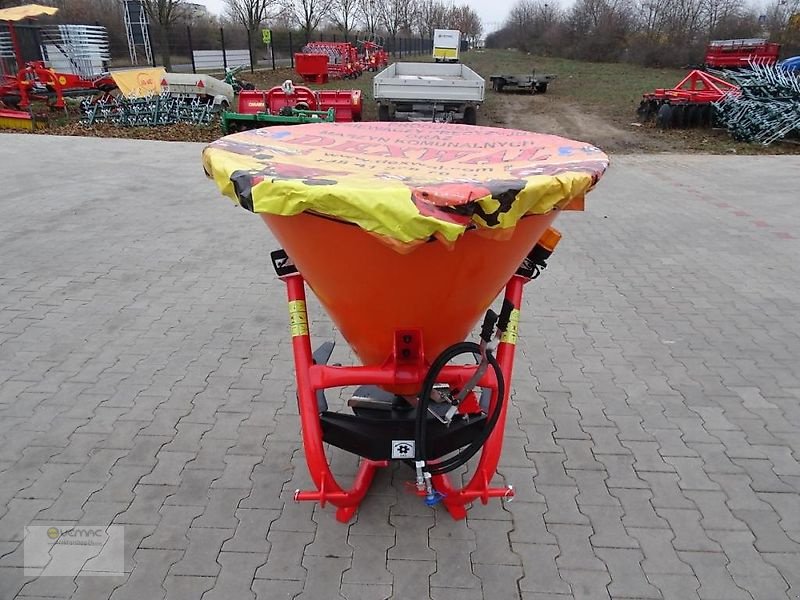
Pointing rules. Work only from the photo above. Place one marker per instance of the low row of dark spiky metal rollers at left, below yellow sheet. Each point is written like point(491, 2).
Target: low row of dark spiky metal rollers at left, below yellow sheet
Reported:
point(149, 111)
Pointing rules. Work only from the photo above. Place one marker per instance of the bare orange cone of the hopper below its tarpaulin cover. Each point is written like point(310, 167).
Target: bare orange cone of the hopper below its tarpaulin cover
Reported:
point(370, 290)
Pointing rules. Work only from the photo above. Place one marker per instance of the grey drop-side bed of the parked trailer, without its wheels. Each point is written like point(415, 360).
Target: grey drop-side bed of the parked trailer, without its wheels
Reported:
point(428, 82)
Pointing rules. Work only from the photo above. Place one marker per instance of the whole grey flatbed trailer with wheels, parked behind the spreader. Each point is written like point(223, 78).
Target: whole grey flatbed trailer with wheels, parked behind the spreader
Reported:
point(428, 92)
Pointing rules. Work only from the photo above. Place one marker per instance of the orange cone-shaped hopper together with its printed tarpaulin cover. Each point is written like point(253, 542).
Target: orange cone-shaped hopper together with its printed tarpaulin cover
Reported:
point(404, 225)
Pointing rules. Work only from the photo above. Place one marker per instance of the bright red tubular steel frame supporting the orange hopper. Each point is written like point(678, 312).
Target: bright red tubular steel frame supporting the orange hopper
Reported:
point(396, 371)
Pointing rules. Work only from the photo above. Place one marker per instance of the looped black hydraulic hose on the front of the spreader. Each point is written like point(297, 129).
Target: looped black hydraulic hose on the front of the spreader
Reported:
point(422, 408)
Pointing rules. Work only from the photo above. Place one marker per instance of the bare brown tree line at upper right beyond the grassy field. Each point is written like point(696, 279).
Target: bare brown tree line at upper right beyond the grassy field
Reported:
point(648, 32)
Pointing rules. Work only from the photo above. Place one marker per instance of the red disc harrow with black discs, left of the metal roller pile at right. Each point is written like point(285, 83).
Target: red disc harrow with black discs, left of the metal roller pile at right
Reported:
point(688, 104)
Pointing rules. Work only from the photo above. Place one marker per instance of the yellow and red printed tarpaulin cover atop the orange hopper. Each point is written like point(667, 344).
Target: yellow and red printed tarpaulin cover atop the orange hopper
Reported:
point(404, 182)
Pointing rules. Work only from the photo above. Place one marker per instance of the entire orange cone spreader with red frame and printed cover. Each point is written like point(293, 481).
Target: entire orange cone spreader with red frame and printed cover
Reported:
point(409, 234)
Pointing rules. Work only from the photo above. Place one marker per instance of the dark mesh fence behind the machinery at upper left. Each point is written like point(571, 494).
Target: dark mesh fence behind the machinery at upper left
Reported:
point(196, 49)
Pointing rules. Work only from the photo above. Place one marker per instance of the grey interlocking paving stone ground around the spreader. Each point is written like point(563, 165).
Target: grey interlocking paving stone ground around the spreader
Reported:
point(146, 381)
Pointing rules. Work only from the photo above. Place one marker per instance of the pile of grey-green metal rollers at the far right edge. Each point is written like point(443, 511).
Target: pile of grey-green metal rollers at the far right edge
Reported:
point(766, 109)
